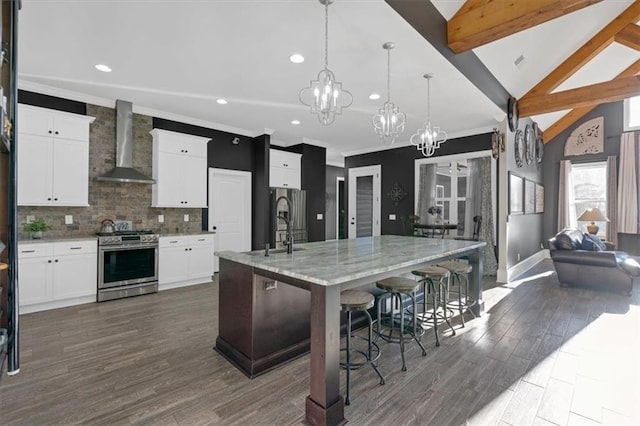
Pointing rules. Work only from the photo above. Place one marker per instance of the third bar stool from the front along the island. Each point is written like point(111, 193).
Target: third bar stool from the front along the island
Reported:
point(435, 281)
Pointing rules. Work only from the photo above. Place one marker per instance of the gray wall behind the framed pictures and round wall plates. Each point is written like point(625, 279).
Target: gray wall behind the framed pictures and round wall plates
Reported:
point(524, 231)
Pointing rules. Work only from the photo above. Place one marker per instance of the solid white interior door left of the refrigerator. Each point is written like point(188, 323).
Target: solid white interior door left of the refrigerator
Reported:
point(230, 210)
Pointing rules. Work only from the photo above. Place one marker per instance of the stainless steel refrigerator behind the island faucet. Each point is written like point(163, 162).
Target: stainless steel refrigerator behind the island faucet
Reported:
point(278, 227)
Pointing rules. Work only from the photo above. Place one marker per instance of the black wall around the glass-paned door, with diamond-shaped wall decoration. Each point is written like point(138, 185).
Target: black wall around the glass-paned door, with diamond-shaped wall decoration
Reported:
point(398, 165)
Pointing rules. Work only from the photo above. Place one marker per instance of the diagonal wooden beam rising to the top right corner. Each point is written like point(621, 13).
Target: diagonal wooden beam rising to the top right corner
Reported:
point(588, 51)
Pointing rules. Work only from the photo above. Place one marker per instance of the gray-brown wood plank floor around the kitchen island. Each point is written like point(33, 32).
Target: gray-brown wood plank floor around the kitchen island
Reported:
point(540, 354)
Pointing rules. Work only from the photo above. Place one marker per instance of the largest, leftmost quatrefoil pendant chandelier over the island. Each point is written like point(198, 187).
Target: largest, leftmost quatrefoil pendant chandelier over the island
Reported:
point(325, 95)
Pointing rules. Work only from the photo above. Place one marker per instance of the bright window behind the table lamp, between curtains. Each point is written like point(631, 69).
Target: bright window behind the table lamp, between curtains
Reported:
point(590, 190)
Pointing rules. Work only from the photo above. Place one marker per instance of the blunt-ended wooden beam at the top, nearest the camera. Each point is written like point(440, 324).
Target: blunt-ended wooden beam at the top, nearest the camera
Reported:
point(479, 22)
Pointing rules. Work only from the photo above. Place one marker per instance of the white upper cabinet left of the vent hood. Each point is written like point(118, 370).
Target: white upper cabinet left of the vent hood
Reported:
point(53, 159)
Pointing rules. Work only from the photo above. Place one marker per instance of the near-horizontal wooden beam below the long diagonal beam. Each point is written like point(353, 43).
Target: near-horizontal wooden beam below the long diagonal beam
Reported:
point(609, 91)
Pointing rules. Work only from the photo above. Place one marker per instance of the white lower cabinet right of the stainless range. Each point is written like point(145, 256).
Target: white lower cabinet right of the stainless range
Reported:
point(185, 260)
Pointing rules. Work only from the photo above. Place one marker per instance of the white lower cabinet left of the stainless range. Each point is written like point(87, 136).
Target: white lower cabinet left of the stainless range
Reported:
point(57, 274)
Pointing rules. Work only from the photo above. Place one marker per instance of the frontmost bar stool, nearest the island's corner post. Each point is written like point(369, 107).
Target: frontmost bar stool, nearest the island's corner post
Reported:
point(358, 301)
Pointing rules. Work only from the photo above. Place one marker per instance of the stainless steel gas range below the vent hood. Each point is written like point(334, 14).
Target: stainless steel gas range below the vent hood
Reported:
point(127, 264)
